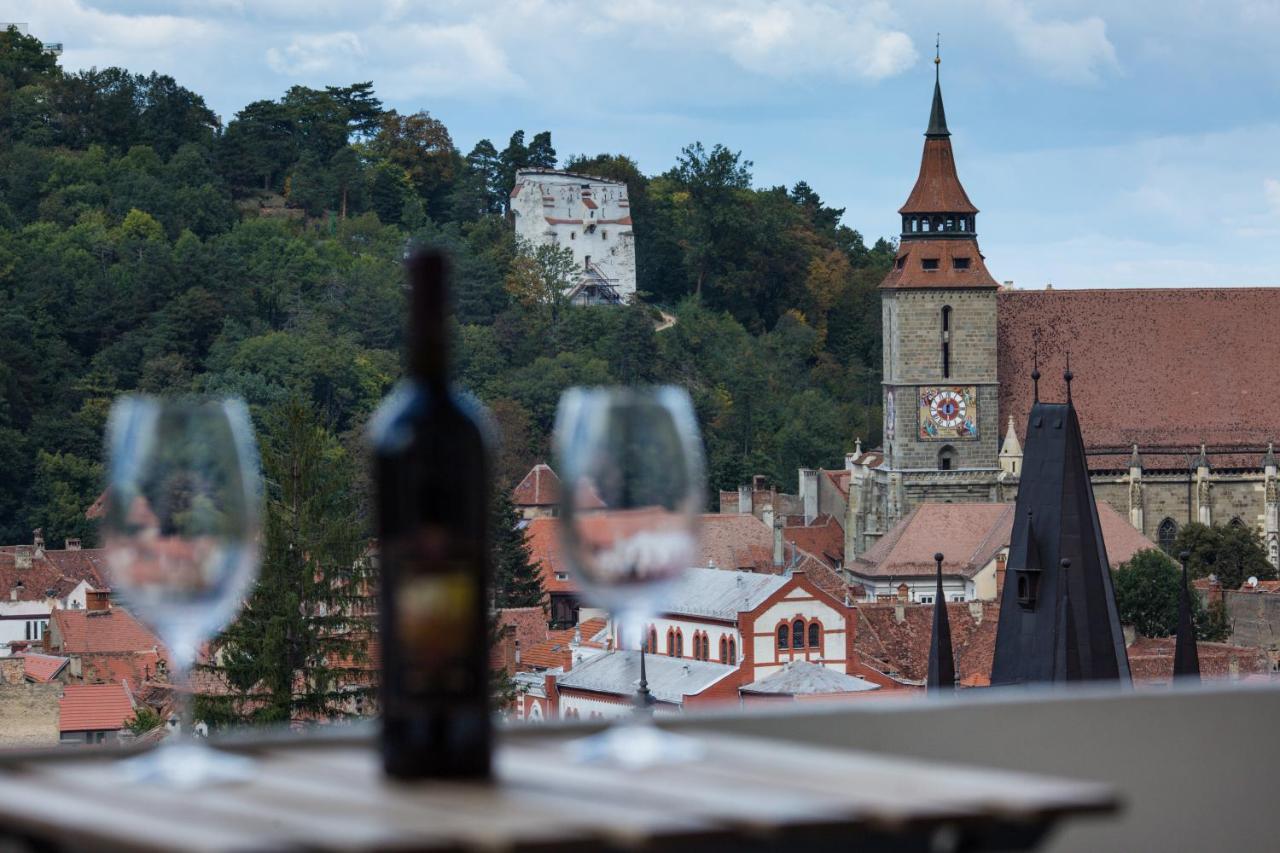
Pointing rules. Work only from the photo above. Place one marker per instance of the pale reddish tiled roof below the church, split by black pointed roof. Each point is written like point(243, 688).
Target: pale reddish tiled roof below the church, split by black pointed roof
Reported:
point(970, 536)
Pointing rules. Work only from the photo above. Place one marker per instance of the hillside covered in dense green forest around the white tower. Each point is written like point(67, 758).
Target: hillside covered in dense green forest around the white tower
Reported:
point(147, 247)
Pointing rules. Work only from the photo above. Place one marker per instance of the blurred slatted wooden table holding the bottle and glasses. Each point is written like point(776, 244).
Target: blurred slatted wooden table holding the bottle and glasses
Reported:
point(747, 795)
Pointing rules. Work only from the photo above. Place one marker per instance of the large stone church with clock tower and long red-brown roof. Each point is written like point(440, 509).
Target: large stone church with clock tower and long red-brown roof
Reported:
point(1181, 434)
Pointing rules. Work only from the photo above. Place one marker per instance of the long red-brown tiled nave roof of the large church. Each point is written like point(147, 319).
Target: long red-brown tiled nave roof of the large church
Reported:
point(1205, 349)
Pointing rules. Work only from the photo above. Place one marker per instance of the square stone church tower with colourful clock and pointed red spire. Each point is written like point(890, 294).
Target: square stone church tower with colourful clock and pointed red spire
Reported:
point(939, 307)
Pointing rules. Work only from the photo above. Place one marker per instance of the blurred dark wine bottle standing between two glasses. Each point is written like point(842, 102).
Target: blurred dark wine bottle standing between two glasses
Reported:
point(432, 480)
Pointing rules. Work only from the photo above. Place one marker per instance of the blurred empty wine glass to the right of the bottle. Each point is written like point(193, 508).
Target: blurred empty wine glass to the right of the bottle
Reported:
point(632, 492)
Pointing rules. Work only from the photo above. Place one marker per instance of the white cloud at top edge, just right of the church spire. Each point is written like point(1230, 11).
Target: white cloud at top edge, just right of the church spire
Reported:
point(1073, 52)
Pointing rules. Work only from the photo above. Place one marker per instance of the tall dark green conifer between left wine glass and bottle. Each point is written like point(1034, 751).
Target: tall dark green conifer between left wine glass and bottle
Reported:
point(298, 651)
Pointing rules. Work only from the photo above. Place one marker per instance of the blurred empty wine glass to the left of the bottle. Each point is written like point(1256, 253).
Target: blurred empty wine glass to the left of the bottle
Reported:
point(182, 545)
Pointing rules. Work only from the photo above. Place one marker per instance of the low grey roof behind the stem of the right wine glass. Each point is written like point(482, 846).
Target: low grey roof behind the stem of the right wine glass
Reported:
point(670, 679)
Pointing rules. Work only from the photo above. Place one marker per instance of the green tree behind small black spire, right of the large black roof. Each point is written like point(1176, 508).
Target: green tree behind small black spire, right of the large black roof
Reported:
point(1148, 592)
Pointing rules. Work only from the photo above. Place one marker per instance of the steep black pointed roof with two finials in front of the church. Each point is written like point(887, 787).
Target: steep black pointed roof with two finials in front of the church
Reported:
point(1058, 610)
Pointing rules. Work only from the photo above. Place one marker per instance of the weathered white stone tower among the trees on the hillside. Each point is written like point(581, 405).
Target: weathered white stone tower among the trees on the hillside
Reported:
point(591, 217)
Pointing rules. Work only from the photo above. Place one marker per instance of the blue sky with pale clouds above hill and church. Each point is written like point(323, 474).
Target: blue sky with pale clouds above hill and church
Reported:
point(1107, 144)
